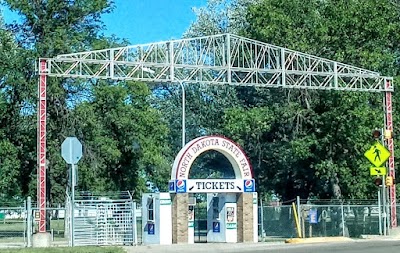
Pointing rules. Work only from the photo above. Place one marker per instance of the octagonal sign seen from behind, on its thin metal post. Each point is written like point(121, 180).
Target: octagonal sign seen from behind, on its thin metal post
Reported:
point(71, 151)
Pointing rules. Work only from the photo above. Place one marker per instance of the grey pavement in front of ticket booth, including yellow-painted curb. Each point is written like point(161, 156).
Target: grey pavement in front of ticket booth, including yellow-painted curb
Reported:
point(307, 245)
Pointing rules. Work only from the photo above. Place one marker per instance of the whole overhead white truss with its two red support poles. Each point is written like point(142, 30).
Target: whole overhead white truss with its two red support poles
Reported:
point(223, 59)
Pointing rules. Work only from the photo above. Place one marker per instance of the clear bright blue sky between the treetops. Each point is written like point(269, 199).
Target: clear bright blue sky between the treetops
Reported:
point(143, 21)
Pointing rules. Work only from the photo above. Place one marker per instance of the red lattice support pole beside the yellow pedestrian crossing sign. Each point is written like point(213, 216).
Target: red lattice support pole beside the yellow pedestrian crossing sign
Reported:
point(390, 146)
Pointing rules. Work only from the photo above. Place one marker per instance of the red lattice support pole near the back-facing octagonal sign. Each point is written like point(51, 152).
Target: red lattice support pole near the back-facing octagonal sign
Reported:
point(41, 145)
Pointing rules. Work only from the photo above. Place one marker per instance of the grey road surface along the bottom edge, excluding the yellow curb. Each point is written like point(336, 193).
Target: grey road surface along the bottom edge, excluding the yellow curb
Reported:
point(357, 246)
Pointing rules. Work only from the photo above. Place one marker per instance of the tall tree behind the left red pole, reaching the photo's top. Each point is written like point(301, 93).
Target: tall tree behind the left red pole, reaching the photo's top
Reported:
point(48, 28)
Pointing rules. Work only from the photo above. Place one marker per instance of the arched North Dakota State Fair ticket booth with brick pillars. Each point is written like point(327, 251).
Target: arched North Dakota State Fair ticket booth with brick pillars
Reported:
point(231, 203)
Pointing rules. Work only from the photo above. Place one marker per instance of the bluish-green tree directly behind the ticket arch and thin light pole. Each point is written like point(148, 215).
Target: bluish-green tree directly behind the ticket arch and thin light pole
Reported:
point(204, 110)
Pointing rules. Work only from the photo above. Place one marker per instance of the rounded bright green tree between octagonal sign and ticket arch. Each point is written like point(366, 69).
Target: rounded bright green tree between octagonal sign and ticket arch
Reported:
point(124, 139)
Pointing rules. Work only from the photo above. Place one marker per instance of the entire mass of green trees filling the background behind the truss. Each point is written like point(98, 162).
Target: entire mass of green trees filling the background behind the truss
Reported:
point(300, 142)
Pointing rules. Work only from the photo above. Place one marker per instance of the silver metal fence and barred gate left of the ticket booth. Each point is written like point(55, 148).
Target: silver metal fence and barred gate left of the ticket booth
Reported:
point(97, 221)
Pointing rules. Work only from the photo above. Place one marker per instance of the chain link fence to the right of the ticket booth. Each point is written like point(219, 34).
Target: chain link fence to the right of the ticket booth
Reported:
point(316, 219)
